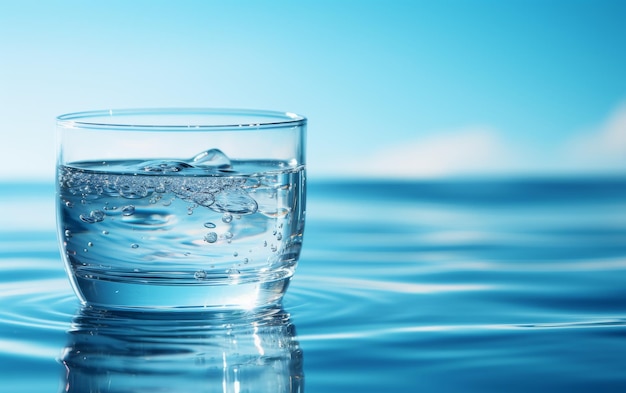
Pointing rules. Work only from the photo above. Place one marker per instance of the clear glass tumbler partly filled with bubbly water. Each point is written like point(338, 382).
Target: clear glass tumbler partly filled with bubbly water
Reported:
point(180, 209)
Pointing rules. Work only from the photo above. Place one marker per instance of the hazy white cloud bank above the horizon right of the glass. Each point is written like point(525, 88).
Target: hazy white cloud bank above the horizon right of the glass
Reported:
point(485, 151)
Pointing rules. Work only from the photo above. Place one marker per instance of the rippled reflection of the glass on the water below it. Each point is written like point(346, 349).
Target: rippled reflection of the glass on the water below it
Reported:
point(195, 352)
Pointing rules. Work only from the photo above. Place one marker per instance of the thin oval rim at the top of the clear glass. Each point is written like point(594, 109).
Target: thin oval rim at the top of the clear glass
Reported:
point(155, 119)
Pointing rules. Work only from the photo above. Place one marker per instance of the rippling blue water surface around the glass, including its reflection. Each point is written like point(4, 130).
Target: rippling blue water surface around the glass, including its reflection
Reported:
point(437, 286)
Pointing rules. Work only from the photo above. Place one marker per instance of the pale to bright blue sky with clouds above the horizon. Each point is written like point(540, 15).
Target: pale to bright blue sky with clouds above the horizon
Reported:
point(391, 88)
